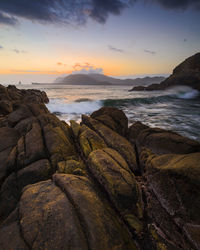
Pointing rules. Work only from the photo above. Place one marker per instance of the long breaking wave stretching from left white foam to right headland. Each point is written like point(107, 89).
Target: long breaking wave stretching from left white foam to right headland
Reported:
point(87, 106)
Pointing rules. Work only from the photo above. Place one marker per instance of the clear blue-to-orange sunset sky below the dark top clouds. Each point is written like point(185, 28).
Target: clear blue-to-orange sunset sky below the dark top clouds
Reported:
point(144, 39)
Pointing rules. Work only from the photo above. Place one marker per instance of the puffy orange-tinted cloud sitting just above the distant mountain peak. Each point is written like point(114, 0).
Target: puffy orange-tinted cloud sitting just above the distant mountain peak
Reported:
point(86, 68)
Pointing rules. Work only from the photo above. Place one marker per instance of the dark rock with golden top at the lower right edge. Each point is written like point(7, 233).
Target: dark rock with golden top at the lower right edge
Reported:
point(174, 181)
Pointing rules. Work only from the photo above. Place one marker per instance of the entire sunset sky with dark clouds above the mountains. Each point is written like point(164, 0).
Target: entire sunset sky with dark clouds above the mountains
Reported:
point(41, 40)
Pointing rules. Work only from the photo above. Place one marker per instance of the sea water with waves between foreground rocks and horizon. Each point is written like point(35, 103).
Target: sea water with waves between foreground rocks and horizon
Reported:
point(177, 109)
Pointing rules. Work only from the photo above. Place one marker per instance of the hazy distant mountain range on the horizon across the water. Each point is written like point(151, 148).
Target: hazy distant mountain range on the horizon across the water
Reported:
point(100, 79)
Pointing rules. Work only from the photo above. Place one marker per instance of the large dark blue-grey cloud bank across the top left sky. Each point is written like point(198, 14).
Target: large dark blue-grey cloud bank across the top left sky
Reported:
point(65, 11)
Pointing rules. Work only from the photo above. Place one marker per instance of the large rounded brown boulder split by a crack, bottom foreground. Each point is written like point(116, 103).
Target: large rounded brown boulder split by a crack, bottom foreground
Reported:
point(68, 212)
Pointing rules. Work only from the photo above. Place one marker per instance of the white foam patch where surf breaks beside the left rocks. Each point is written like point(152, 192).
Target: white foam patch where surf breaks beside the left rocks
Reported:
point(58, 106)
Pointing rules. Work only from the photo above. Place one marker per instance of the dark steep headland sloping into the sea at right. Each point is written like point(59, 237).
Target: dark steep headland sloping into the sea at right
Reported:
point(187, 73)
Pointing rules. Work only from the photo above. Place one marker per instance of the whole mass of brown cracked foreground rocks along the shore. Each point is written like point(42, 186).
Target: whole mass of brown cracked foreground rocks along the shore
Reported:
point(95, 185)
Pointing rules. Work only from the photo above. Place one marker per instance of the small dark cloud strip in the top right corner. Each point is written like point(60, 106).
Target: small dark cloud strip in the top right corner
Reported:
point(179, 4)
